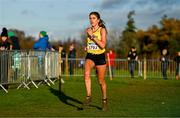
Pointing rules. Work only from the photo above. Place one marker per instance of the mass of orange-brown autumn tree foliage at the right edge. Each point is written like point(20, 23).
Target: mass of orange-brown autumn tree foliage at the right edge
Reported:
point(155, 39)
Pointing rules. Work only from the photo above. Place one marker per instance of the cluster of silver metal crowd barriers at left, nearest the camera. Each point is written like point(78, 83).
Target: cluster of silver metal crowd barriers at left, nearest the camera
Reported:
point(28, 67)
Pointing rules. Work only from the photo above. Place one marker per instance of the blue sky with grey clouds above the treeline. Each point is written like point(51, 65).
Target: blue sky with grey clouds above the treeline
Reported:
point(67, 18)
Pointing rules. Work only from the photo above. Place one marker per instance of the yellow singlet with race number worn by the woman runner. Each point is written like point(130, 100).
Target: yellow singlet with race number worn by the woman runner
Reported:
point(92, 47)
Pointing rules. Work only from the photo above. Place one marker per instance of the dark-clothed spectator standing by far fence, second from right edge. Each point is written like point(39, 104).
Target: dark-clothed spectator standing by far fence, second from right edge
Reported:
point(164, 63)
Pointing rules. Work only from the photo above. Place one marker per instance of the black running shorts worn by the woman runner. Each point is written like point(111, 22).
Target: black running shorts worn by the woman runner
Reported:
point(98, 59)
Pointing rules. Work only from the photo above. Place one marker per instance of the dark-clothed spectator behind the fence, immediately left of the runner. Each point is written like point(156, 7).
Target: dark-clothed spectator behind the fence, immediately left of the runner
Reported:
point(71, 56)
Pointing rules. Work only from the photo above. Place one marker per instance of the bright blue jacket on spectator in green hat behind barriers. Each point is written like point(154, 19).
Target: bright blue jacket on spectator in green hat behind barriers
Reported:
point(42, 44)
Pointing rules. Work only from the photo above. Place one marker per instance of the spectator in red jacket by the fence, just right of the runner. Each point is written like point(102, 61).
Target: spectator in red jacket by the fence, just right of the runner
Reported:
point(111, 63)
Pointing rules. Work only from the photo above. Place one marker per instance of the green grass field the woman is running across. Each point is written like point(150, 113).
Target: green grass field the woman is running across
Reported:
point(127, 97)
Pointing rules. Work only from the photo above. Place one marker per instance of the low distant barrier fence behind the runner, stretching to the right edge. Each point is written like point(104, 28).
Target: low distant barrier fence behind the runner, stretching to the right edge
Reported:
point(146, 69)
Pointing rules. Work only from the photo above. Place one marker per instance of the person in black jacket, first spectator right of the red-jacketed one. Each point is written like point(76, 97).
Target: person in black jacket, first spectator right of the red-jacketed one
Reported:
point(132, 58)
